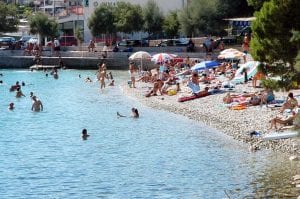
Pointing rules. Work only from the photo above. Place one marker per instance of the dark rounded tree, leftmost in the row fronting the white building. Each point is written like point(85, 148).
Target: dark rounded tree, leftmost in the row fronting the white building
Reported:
point(102, 20)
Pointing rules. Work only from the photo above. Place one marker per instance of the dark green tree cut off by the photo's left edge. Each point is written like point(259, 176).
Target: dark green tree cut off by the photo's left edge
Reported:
point(8, 18)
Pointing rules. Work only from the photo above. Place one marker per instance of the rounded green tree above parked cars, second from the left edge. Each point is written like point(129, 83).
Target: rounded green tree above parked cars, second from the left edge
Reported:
point(40, 24)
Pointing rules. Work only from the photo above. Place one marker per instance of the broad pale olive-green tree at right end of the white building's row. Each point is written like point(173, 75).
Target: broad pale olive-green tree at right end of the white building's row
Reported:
point(199, 17)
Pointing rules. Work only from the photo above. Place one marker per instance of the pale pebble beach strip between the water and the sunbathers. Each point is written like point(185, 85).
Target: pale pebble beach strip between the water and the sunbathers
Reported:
point(212, 112)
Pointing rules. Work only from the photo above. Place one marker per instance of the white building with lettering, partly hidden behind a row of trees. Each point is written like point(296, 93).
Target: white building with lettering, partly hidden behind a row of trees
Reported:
point(90, 5)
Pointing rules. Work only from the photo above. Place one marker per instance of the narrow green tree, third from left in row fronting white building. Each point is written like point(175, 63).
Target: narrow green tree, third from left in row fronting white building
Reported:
point(152, 17)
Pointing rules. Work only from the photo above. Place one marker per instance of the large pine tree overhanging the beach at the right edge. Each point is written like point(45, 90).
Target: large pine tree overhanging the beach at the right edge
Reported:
point(271, 42)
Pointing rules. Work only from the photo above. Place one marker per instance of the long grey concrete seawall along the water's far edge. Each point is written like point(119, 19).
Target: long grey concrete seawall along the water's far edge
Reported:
point(85, 59)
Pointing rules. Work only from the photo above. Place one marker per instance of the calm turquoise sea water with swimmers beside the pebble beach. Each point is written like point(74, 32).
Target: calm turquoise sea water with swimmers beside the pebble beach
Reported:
point(159, 155)
